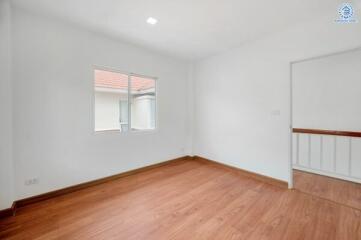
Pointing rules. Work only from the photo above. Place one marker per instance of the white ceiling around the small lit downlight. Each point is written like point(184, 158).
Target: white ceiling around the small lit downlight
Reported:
point(188, 29)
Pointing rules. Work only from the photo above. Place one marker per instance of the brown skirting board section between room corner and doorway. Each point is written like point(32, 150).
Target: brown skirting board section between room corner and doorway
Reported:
point(259, 177)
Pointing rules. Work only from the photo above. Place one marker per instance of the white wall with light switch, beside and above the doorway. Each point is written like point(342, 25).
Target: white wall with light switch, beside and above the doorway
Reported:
point(242, 97)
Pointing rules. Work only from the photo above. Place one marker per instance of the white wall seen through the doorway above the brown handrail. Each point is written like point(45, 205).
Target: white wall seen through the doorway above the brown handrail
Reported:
point(327, 92)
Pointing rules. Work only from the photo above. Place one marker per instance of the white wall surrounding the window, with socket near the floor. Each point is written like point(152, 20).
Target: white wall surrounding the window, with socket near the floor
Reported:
point(53, 87)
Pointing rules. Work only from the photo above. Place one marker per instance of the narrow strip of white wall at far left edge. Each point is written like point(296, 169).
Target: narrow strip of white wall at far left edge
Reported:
point(6, 164)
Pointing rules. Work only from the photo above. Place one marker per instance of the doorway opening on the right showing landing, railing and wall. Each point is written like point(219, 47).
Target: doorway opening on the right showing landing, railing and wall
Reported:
point(326, 127)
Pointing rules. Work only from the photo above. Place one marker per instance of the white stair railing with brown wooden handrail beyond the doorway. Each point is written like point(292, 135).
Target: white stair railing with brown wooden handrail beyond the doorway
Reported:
point(330, 153)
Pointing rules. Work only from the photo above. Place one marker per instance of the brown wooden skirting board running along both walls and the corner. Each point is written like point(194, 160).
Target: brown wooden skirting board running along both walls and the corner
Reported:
point(27, 201)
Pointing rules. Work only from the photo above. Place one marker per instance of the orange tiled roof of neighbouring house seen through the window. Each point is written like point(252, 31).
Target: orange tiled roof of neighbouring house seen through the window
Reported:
point(114, 80)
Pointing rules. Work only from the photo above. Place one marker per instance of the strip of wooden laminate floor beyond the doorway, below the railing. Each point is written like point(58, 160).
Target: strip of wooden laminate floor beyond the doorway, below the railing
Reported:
point(340, 191)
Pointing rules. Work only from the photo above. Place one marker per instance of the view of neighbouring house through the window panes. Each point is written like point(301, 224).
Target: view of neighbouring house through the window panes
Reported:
point(123, 99)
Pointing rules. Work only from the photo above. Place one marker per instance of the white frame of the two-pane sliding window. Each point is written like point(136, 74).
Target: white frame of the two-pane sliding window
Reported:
point(130, 130)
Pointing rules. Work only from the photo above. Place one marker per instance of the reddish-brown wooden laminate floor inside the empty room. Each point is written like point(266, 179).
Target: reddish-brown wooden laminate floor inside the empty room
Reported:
point(184, 200)
